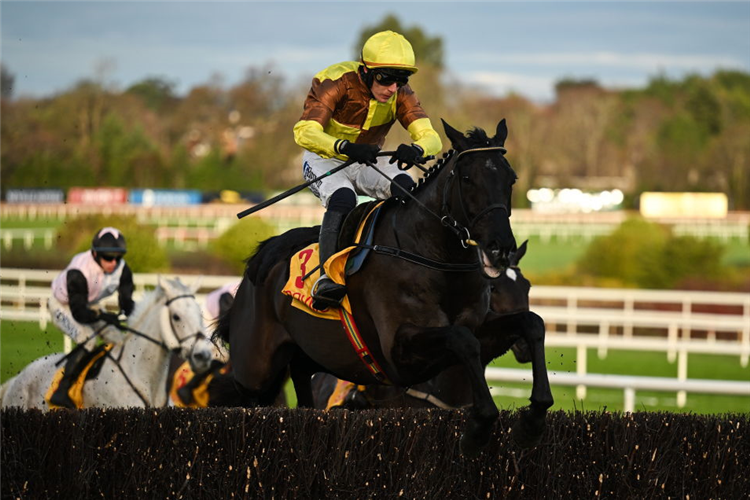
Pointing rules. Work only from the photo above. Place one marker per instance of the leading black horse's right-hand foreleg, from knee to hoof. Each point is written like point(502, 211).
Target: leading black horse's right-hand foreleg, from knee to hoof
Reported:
point(527, 431)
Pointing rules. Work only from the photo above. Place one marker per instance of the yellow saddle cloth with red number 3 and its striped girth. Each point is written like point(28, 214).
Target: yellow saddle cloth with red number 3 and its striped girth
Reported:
point(340, 265)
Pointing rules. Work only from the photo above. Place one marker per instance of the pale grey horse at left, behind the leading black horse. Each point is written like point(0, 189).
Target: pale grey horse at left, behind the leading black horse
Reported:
point(134, 373)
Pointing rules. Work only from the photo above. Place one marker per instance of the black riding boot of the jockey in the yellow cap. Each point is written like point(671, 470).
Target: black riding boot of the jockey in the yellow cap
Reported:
point(327, 293)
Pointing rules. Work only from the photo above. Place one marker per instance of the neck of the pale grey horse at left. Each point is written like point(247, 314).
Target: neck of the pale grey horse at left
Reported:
point(146, 363)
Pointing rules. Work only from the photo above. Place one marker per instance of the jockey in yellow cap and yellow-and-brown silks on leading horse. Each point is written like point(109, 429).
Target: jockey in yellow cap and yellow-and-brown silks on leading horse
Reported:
point(348, 112)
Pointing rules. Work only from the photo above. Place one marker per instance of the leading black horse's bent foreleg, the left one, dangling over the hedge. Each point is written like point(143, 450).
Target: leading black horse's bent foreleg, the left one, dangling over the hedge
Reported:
point(461, 343)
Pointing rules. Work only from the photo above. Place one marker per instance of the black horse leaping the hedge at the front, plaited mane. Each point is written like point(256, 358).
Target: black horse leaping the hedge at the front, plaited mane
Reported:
point(416, 302)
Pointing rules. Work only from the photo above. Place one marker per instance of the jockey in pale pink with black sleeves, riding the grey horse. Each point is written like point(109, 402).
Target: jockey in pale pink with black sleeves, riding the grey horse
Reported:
point(90, 277)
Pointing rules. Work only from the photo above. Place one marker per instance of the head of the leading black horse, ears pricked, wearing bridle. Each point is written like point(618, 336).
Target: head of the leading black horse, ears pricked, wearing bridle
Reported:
point(478, 195)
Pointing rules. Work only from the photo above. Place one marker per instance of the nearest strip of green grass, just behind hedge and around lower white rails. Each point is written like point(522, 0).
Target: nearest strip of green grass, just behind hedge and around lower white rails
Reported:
point(22, 342)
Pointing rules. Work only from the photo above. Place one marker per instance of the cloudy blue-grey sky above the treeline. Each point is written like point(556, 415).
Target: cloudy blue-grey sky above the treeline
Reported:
point(501, 45)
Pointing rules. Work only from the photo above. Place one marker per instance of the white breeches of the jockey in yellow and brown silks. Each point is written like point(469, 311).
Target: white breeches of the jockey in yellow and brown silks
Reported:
point(358, 177)
